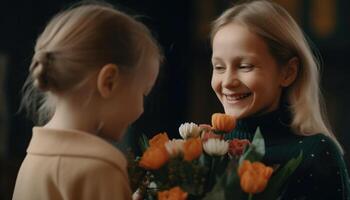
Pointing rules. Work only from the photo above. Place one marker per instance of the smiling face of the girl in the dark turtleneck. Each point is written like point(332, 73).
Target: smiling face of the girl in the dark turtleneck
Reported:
point(246, 78)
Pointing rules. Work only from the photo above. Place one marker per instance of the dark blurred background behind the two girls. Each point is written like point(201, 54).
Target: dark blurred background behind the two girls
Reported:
point(183, 92)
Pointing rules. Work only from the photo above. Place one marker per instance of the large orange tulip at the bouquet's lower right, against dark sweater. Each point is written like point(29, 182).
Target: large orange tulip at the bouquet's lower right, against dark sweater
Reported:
point(254, 176)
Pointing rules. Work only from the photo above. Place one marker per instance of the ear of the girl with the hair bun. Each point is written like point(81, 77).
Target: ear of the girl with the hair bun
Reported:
point(107, 79)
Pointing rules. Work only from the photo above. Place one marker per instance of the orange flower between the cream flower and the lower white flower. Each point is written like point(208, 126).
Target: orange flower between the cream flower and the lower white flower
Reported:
point(192, 148)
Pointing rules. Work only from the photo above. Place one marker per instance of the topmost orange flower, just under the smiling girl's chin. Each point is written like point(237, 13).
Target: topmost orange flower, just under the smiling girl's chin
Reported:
point(223, 122)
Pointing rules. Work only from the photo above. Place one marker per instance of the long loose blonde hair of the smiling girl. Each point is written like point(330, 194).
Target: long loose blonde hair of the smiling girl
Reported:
point(286, 40)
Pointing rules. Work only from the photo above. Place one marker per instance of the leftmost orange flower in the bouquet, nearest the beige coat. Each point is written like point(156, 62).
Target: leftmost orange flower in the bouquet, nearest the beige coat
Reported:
point(154, 158)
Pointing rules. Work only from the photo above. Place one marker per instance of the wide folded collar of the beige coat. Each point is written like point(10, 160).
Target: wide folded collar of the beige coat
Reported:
point(74, 146)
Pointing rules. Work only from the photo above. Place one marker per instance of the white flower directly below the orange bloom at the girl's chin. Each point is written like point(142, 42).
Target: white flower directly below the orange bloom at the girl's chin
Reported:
point(215, 147)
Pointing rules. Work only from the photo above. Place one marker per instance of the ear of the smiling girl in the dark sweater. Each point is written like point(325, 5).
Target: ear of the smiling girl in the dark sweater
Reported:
point(290, 72)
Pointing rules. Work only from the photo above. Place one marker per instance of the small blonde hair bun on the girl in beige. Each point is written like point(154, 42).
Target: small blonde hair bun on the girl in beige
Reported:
point(39, 69)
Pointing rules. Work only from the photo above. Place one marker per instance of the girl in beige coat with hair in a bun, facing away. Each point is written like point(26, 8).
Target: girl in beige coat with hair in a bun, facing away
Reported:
point(93, 65)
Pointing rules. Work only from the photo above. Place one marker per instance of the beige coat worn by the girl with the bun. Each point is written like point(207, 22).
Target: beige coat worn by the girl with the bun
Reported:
point(71, 165)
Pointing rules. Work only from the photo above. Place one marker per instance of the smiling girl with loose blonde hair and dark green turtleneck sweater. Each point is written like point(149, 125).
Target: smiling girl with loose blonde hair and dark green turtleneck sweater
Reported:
point(264, 74)
